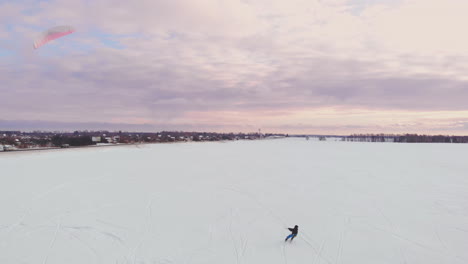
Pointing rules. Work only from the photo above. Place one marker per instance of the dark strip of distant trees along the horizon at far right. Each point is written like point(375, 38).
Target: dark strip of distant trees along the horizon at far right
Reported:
point(406, 138)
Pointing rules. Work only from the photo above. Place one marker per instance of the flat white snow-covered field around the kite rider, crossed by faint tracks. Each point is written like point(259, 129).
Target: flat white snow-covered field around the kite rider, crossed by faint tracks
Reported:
point(231, 203)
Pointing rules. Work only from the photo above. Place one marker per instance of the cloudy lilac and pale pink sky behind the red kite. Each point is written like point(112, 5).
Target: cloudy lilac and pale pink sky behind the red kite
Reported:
point(296, 66)
